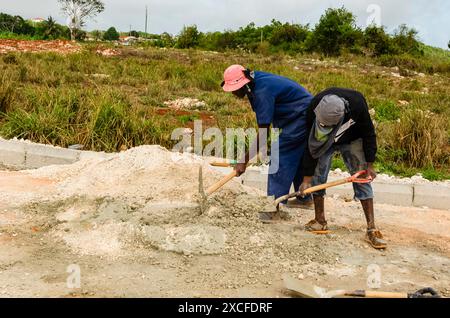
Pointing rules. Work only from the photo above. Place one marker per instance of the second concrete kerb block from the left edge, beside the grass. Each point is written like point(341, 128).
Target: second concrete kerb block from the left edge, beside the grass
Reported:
point(37, 156)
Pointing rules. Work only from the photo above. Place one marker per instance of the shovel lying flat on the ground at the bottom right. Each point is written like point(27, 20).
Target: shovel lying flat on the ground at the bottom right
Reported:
point(305, 290)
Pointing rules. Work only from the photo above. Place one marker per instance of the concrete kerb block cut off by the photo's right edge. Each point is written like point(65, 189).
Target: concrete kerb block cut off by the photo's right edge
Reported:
point(432, 196)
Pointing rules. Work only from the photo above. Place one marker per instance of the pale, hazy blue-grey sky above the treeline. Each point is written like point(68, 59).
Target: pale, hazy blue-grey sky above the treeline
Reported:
point(430, 17)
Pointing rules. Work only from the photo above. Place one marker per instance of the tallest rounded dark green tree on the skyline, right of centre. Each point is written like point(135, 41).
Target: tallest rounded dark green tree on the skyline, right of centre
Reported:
point(336, 30)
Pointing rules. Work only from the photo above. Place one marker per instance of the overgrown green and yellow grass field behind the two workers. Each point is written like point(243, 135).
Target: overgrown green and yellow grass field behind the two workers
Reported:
point(109, 102)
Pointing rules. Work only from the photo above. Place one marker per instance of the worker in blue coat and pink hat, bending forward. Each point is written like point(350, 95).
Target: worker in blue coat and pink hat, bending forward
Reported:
point(281, 103)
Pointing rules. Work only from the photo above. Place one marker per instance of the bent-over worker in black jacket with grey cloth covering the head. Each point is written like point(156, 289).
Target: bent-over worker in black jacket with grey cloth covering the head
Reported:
point(338, 120)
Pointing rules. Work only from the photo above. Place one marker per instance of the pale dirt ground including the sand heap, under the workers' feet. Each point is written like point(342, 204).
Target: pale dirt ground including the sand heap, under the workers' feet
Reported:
point(133, 228)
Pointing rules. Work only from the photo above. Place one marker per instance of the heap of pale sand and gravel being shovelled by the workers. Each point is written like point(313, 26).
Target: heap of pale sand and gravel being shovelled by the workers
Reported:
point(147, 197)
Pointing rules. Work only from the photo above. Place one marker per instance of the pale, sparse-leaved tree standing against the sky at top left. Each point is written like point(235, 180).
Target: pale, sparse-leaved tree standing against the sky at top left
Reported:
point(79, 11)
